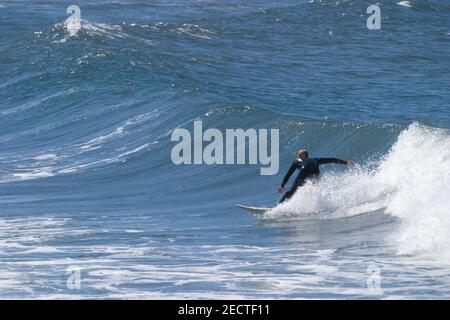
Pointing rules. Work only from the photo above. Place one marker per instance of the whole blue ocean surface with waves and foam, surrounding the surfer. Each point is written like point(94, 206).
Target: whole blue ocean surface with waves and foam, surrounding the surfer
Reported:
point(87, 182)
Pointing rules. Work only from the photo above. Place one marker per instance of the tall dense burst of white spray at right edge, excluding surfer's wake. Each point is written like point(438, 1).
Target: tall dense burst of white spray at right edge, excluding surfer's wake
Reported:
point(419, 166)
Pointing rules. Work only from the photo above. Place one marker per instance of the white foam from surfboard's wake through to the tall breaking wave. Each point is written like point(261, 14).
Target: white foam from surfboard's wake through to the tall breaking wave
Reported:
point(412, 183)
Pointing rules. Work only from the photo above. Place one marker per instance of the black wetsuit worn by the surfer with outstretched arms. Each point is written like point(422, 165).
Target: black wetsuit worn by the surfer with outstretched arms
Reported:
point(309, 169)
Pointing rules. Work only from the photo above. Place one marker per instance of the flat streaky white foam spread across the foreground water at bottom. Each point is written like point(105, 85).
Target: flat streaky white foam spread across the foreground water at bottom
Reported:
point(37, 268)
